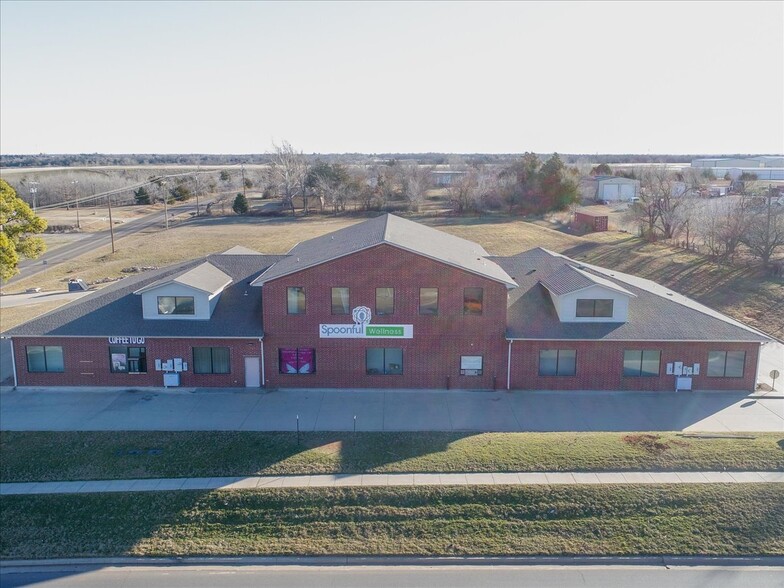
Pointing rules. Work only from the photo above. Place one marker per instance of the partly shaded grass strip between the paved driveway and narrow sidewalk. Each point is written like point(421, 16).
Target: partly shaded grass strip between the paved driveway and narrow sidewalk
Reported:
point(49, 456)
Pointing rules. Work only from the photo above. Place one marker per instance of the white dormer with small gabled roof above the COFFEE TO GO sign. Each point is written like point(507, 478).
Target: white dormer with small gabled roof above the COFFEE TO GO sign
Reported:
point(191, 295)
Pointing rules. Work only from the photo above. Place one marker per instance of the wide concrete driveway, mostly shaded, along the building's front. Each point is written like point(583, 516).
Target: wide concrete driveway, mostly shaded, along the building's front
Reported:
point(383, 410)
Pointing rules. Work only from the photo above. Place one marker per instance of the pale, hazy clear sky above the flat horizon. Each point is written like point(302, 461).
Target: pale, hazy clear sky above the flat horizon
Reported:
point(396, 77)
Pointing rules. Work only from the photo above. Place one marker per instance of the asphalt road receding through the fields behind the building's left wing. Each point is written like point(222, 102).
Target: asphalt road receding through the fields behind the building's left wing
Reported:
point(92, 241)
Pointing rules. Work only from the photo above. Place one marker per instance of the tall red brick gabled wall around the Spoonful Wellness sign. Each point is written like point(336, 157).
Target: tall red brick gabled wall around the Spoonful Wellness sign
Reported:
point(439, 341)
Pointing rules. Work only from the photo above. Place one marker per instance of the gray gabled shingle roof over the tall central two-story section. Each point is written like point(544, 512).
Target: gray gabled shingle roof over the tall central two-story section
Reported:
point(392, 230)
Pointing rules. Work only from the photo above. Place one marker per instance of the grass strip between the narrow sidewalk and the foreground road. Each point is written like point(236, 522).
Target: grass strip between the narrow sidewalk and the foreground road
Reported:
point(716, 519)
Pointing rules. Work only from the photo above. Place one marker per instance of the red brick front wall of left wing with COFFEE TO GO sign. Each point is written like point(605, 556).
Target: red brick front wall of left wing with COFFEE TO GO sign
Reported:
point(87, 362)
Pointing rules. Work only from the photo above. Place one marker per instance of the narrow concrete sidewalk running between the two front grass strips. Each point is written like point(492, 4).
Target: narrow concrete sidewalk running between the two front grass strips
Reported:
point(367, 480)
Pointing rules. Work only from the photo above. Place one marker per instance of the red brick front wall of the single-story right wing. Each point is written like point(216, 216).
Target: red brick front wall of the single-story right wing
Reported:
point(600, 366)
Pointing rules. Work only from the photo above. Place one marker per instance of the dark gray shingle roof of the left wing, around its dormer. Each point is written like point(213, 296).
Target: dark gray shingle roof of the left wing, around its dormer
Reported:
point(115, 310)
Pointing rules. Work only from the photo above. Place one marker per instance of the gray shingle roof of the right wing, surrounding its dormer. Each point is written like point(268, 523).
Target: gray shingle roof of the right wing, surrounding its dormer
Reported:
point(656, 314)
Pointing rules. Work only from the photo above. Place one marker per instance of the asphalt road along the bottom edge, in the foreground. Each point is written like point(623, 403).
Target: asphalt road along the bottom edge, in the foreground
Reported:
point(398, 576)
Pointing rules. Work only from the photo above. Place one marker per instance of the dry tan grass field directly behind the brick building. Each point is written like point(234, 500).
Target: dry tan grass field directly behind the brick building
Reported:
point(744, 293)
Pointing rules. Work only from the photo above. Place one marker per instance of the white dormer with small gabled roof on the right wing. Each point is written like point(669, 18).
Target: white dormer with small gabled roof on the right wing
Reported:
point(581, 297)
